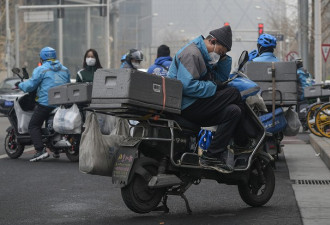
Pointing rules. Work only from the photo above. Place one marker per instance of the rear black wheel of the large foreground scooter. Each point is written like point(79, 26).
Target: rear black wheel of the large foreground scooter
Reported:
point(138, 197)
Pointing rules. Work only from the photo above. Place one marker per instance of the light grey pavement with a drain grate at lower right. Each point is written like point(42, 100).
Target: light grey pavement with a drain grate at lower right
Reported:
point(310, 179)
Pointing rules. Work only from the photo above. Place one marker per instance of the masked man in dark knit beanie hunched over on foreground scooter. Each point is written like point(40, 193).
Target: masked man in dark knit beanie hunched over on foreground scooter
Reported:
point(202, 66)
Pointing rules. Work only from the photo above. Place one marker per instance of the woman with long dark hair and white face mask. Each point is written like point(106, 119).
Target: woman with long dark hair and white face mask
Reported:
point(91, 63)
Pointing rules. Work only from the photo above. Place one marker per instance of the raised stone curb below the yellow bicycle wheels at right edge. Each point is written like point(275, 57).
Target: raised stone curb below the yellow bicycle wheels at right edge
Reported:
point(321, 146)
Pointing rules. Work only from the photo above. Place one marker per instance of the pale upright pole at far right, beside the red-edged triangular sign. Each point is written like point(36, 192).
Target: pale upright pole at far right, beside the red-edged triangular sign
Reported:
point(318, 39)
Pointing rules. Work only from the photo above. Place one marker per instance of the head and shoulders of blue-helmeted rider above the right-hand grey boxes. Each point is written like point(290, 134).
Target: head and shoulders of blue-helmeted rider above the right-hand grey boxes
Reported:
point(266, 45)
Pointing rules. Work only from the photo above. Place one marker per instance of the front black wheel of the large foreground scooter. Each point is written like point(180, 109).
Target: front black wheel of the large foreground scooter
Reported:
point(254, 193)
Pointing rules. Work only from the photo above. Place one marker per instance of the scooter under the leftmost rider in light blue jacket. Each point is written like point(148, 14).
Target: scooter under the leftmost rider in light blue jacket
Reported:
point(15, 142)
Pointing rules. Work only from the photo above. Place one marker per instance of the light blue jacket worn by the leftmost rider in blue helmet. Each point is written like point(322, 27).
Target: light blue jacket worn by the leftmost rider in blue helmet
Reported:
point(44, 77)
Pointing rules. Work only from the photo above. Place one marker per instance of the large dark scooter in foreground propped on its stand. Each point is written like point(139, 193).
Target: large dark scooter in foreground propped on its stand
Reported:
point(161, 159)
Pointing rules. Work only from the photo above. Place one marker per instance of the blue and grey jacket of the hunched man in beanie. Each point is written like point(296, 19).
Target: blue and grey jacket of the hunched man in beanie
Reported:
point(191, 68)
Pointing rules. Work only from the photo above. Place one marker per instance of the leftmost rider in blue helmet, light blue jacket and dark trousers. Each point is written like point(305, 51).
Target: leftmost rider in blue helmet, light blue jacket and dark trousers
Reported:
point(50, 74)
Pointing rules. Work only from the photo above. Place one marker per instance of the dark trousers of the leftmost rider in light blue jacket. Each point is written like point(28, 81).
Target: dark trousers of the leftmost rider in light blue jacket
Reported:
point(39, 115)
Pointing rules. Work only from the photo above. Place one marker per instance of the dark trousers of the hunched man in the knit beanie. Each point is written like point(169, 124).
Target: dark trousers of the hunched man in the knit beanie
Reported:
point(225, 109)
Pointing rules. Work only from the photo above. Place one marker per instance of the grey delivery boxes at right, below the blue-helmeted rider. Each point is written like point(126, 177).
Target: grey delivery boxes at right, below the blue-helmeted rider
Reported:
point(285, 81)
